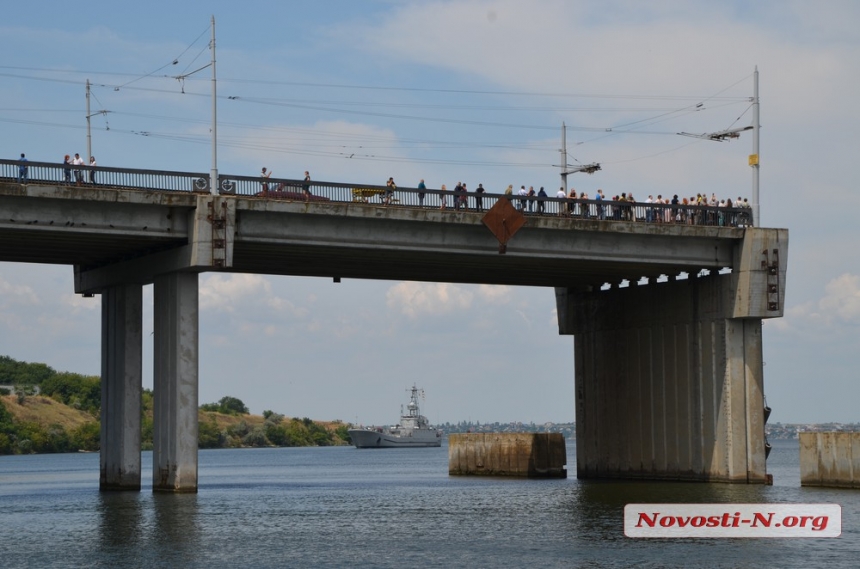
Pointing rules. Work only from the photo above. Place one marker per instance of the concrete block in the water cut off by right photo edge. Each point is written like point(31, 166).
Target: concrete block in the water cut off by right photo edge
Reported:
point(830, 459)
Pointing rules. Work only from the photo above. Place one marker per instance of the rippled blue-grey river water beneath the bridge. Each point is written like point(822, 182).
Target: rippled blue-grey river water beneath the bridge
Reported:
point(344, 507)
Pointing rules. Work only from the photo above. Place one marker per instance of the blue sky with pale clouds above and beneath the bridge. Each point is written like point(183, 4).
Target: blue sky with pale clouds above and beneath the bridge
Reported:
point(463, 90)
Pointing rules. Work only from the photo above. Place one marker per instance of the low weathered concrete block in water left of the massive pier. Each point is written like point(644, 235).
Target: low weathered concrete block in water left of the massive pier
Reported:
point(531, 455)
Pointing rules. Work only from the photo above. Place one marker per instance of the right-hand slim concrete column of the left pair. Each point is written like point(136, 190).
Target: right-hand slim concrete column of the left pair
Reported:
point(174, 461)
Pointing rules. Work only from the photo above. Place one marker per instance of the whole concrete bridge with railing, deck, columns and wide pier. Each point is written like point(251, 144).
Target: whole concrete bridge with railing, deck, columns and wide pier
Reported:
point(666, 317)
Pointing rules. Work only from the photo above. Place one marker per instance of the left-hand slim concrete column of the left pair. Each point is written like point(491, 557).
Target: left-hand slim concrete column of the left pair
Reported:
point(121, 387)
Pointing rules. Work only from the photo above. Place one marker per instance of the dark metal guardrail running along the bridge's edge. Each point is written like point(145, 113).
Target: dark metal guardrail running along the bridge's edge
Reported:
point(298, 190)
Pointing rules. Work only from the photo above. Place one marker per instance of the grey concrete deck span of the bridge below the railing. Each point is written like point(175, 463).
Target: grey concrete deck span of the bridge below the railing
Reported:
point(93, 227)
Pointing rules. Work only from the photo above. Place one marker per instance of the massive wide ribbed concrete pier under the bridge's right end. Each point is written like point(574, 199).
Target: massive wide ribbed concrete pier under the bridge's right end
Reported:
point(668, 384)
